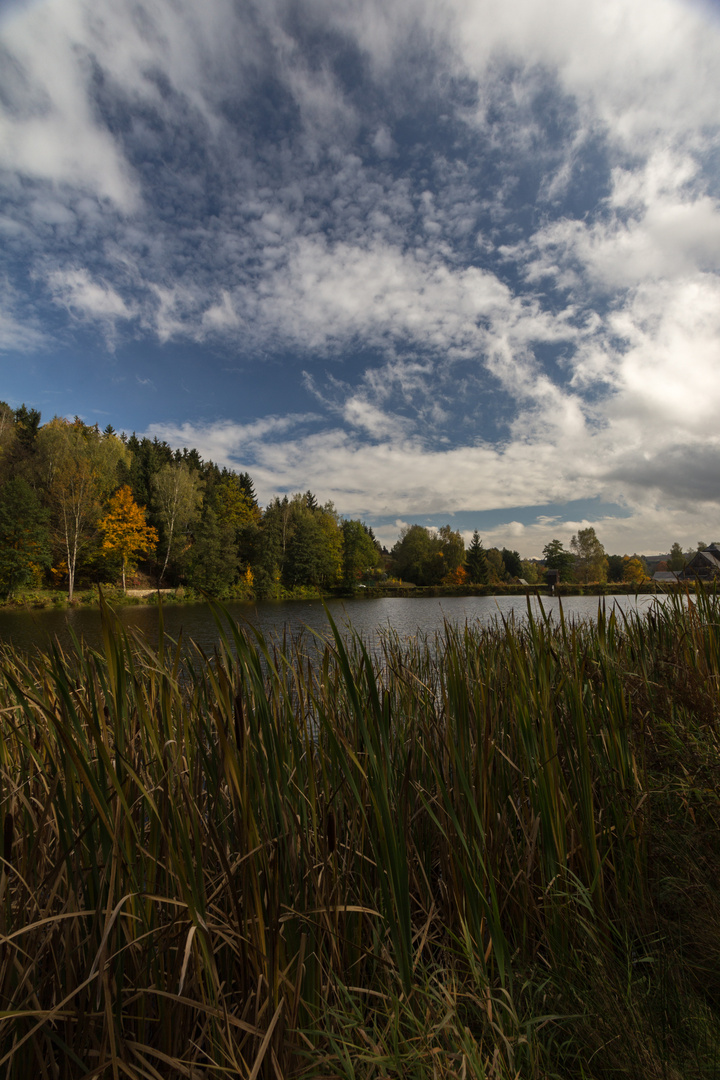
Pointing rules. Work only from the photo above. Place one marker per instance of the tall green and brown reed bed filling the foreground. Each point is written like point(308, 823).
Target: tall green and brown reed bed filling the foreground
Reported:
point(488, 855)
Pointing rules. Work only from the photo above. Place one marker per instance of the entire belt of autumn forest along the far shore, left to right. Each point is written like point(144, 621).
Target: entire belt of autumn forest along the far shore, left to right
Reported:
point(81, 507)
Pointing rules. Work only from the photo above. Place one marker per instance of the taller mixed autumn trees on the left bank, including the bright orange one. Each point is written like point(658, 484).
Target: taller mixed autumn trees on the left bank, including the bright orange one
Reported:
point(79, 506)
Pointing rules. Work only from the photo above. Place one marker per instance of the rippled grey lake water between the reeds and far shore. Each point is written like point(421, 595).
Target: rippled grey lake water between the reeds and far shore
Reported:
point(30, 628)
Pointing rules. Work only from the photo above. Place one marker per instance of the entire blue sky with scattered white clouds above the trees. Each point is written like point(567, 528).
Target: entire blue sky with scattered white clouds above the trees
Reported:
point(437, 262)
